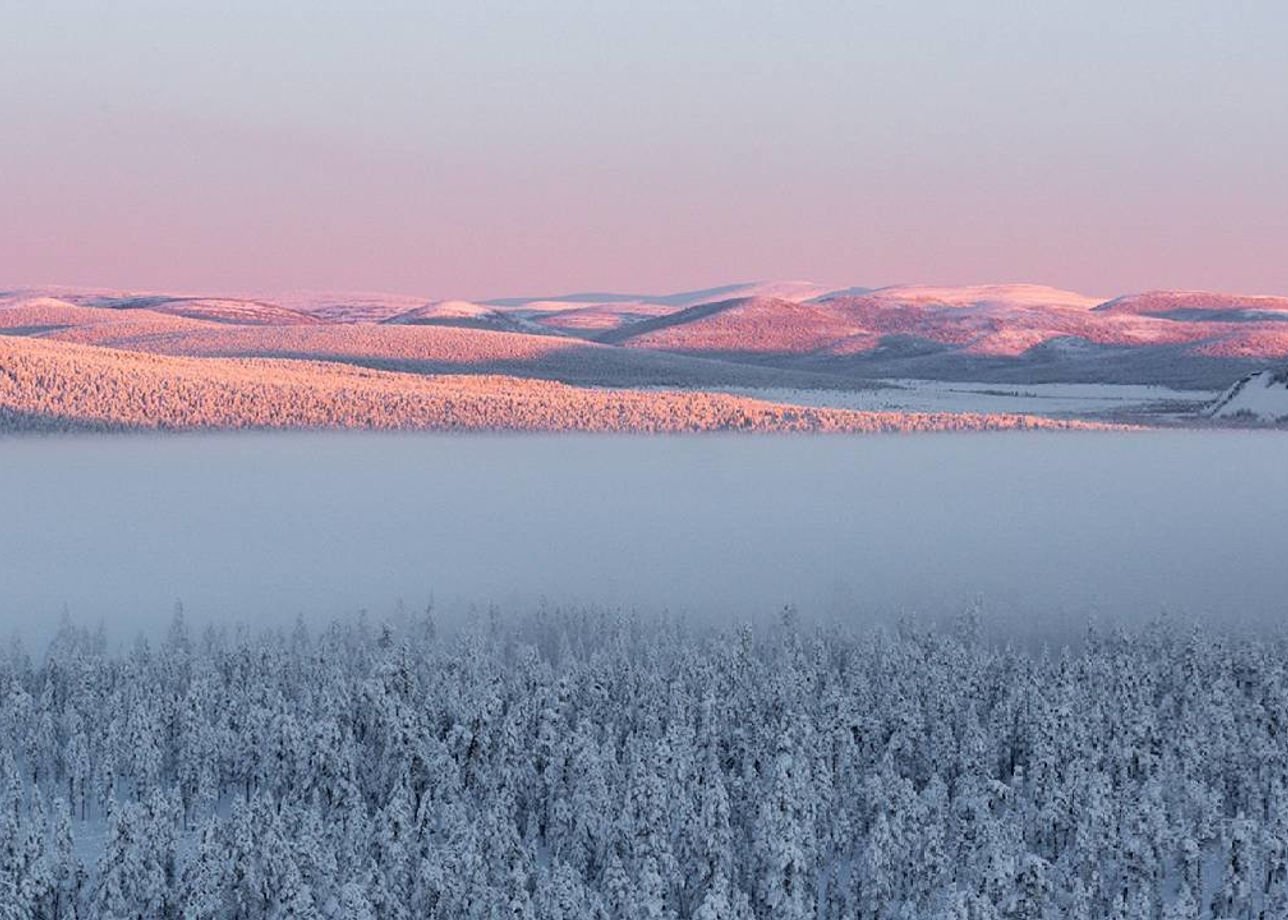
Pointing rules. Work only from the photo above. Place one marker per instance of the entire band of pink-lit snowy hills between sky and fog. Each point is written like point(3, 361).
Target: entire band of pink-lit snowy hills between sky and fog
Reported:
point(752, 356)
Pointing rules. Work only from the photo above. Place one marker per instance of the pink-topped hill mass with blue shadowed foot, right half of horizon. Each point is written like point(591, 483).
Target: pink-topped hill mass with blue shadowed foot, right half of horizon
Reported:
point(1005, 333)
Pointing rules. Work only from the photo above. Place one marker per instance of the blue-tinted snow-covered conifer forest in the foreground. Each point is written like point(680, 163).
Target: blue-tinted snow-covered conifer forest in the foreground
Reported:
point(591, 765)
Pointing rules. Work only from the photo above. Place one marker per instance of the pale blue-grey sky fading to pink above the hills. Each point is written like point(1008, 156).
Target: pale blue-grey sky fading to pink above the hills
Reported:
point(485, 150)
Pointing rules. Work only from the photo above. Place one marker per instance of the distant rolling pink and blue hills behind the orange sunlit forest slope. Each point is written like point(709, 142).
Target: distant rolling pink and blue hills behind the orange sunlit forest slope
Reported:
point(835, 336)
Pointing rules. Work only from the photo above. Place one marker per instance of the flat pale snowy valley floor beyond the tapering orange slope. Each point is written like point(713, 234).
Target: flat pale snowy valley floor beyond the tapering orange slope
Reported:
point(1049, 400)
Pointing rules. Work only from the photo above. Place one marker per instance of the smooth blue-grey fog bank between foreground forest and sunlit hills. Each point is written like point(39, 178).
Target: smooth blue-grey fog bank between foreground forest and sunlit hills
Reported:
point(1043, 529)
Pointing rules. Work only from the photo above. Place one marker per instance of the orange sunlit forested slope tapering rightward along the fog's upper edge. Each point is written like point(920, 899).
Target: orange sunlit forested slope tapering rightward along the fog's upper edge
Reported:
point(53, 386)
